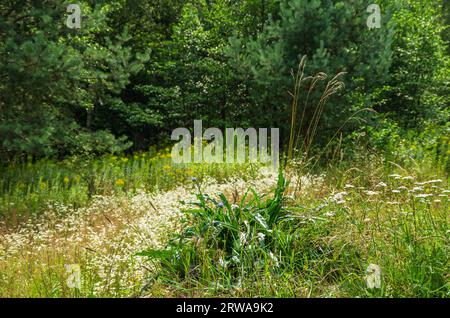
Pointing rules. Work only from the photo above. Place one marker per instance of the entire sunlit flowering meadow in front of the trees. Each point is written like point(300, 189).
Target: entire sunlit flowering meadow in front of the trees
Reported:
point(145, 227)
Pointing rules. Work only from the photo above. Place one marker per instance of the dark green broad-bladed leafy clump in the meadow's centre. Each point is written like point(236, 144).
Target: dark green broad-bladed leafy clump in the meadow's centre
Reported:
point(228, 239)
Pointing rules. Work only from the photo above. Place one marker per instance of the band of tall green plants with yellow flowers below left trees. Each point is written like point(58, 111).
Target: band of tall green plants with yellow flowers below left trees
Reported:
point(26, 189)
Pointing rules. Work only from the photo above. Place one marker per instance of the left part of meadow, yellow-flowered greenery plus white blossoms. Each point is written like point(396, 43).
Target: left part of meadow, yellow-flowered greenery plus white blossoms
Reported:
point(131, 204)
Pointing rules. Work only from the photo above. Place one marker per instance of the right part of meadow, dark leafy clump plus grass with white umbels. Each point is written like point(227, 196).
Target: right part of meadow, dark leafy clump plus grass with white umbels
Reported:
point(320, 242)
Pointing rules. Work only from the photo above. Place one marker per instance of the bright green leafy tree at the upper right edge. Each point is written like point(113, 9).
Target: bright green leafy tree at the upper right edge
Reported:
point(418, 87)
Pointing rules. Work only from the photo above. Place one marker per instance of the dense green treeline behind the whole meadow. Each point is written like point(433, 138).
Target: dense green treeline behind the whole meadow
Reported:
point(138, 69)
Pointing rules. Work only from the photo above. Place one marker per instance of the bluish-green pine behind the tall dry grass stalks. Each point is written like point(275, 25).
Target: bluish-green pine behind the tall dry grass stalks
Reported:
point(335, 38)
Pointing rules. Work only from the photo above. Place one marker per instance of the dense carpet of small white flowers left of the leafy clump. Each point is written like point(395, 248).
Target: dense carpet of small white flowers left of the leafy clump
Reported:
point(105, 236)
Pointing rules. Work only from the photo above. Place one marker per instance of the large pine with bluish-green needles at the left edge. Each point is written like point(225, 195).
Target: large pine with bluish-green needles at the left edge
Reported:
point(53, 78)
